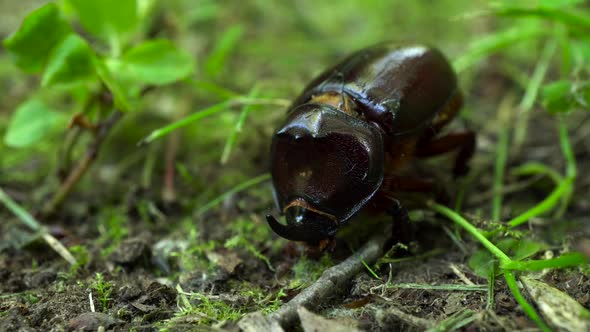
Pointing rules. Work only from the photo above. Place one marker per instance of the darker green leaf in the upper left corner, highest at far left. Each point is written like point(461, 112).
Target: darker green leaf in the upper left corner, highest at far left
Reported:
point(39, 33)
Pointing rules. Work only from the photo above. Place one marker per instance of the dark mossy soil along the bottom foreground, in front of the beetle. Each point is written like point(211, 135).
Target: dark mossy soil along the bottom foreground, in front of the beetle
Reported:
point(39, 291)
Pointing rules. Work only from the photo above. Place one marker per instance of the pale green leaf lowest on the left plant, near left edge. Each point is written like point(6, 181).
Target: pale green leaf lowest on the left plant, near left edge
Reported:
point(31, 121)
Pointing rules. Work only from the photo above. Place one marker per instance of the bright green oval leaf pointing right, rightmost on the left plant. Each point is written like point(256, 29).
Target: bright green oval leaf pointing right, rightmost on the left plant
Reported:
point(155, 62)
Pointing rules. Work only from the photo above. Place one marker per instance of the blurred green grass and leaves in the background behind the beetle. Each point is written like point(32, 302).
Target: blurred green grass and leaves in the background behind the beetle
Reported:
point(220, 74)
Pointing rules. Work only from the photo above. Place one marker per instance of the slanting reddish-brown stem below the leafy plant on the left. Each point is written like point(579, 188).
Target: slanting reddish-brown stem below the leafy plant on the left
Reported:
point(91, 153)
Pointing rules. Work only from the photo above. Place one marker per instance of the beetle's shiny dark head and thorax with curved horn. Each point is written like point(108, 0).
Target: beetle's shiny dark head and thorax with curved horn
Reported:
point(326, 165)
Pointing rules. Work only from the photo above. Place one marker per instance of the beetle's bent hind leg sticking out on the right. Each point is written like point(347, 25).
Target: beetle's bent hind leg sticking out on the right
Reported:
point(464, 142)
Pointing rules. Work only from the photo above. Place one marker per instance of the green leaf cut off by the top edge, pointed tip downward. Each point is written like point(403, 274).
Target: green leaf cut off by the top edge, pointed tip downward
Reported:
point(110, 20)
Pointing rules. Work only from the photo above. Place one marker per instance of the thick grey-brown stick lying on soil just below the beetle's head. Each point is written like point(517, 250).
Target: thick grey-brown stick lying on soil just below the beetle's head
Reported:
point(333, 281)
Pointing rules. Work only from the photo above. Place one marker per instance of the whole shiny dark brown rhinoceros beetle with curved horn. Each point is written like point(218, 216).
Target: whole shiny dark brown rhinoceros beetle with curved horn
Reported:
point(353, 128)
